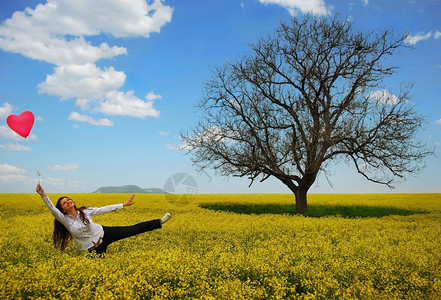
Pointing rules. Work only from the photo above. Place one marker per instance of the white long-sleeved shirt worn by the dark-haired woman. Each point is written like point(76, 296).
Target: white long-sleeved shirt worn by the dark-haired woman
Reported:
point(83, 235)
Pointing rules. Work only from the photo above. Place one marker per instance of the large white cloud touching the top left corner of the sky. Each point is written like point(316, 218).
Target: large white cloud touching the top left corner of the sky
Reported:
point(43, 33)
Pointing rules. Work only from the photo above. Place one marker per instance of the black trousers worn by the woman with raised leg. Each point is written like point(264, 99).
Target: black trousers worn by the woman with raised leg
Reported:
point(113, 234)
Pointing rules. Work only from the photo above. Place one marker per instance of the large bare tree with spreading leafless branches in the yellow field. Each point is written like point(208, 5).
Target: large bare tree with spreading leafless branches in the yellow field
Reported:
point(309, 94)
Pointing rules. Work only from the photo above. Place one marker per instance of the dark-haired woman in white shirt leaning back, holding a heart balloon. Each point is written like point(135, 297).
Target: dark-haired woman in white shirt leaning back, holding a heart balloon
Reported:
point(72, 222)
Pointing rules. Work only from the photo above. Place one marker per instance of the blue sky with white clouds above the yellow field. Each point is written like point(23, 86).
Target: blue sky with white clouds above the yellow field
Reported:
point(113, 82)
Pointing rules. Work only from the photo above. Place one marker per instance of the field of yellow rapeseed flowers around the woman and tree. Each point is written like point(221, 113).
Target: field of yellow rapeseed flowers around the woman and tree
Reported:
point(232, 247)
